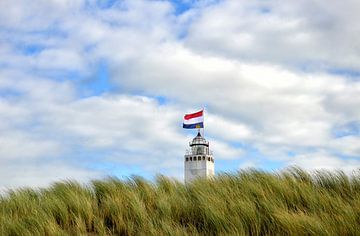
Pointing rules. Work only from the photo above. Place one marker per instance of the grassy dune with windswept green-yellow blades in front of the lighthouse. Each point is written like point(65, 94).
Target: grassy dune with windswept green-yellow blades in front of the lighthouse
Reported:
point(247, 203)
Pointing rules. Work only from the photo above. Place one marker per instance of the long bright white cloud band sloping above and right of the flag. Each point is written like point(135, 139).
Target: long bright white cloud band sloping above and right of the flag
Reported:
point(274, 105)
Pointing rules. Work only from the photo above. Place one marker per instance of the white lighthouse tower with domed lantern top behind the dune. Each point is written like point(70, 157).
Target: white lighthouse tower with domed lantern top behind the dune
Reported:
point(198, 161)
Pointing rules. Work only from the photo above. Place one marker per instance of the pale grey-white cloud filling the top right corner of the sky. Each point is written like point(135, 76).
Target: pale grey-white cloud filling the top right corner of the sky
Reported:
point(306, 34)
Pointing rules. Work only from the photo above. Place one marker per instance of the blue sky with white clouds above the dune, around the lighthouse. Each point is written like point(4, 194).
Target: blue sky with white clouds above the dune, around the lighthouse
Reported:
point(96, 88)
